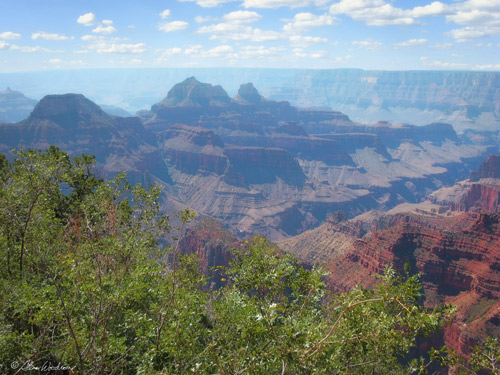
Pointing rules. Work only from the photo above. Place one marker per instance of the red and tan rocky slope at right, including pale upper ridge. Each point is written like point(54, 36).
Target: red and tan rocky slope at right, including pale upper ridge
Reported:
point(452, 240)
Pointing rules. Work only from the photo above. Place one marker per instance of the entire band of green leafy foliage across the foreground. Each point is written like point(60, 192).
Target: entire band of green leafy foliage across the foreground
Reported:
point(86, 281)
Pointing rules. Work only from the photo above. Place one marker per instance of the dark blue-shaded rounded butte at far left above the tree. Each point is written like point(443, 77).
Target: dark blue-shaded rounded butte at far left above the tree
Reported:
point(77, 125)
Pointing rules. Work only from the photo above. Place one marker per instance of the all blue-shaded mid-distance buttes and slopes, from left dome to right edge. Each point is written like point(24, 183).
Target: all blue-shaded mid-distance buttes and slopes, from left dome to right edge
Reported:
point(257, 165)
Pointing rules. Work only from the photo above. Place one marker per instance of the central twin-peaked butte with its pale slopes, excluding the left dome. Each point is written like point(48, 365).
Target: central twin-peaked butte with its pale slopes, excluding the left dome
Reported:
point(262, 166)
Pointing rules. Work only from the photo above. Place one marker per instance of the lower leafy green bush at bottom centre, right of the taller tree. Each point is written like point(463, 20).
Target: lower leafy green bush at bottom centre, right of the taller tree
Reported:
point(274, 316)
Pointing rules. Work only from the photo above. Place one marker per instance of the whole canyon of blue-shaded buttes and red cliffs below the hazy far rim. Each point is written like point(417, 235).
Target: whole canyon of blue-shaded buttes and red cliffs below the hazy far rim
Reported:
point(349, 196)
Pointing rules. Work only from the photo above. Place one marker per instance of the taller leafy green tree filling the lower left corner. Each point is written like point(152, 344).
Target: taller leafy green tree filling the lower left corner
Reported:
point(84, 280)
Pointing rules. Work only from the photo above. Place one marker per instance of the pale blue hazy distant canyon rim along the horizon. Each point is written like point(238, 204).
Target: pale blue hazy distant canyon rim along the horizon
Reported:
point(462, 98)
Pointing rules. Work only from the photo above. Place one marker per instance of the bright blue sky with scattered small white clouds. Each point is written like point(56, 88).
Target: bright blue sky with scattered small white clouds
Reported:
point(324, 34)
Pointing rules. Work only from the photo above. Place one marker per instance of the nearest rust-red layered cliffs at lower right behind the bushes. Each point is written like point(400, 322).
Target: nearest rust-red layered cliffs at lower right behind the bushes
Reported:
point(458, 258)
